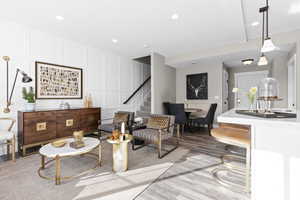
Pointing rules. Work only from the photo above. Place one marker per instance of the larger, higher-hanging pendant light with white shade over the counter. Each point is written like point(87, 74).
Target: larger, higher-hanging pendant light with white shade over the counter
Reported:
point(268, 45)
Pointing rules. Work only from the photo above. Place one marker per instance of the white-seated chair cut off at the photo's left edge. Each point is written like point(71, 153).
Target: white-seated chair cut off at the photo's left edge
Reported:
point(9, 138)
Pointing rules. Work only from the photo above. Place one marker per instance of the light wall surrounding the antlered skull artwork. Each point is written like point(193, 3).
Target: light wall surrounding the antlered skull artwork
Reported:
point(214, 70)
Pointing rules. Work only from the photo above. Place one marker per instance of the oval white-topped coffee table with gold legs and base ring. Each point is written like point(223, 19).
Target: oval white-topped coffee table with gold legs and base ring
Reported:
point(57, 153)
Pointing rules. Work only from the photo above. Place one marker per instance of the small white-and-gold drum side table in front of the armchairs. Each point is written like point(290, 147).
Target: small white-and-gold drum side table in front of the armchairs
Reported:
point(120, 154)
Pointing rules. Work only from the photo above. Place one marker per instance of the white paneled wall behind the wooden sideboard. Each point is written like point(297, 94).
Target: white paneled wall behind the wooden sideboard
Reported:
point(108, 77)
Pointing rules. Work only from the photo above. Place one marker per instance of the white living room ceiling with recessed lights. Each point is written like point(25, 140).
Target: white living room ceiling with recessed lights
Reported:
point(202, 24)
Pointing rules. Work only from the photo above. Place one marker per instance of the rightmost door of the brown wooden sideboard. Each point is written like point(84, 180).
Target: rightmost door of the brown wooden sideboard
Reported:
point(89, 119)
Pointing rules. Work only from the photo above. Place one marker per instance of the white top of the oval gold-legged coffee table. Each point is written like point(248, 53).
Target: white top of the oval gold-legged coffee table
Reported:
point(51, 151)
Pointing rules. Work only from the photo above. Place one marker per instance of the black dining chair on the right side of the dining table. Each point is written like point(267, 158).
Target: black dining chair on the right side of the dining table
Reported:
point(208, 119)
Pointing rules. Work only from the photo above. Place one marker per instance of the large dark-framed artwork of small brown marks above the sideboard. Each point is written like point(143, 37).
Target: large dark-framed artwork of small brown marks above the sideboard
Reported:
point(57, 81)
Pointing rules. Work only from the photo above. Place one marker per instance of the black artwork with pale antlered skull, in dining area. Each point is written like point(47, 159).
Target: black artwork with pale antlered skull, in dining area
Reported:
point(196, 86)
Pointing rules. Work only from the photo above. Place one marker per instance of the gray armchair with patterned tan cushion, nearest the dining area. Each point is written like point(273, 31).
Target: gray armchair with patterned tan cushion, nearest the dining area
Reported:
point(160, 128)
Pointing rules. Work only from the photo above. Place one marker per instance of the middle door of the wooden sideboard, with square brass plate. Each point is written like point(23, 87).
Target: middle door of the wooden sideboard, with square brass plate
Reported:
point(67, 122)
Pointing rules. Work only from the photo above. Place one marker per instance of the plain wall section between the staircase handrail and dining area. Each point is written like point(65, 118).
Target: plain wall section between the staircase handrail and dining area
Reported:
point(163, 81)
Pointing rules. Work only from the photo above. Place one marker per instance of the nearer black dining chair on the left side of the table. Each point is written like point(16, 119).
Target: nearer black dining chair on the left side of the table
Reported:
point(180, 116)
